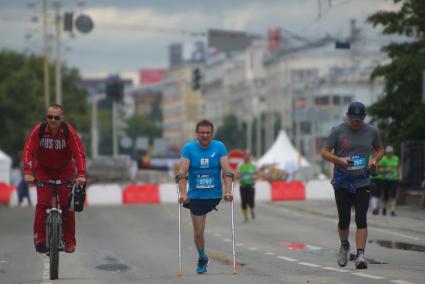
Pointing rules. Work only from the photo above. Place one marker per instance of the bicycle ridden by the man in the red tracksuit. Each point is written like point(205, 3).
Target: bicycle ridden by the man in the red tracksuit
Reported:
point(54, 237)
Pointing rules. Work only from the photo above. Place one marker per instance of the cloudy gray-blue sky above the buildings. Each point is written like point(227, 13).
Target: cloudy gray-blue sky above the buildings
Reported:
point(130, 35)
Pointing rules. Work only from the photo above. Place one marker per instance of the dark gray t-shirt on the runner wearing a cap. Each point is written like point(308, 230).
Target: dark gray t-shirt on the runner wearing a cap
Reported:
point(356, 145)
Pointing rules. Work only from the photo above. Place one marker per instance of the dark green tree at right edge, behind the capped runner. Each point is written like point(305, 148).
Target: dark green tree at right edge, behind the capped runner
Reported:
point(400, 113)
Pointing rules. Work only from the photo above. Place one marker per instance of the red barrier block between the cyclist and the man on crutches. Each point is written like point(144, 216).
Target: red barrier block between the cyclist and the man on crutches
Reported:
point(141, 194)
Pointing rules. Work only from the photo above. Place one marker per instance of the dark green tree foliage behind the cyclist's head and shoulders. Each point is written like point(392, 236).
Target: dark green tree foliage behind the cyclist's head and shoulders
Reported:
point(22, 99)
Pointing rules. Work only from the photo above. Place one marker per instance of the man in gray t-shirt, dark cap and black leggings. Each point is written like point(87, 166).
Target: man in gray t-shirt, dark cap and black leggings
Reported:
point(349, 147)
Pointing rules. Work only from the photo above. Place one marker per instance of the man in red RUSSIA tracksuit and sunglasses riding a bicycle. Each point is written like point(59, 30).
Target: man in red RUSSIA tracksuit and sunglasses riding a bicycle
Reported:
point(58, 154)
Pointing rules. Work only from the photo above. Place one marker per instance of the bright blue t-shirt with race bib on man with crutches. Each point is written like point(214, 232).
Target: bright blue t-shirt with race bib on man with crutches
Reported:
point(204, 169)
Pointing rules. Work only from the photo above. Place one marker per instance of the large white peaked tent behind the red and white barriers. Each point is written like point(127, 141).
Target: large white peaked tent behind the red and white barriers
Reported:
point(283, 154)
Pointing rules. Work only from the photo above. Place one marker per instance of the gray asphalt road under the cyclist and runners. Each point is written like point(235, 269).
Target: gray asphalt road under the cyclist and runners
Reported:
point(293, 242)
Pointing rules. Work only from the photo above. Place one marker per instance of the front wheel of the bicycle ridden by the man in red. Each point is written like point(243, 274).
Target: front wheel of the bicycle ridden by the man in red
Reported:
point(54, 241)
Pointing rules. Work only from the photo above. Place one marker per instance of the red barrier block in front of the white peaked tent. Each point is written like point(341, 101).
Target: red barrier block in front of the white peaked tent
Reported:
point(293, 190)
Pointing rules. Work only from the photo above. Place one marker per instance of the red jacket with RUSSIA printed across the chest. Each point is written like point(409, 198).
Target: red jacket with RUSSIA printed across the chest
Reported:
point(54, 157)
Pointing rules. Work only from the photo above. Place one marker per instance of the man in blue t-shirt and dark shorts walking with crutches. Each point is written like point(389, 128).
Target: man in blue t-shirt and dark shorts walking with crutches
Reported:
point(203, 162)
